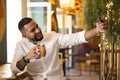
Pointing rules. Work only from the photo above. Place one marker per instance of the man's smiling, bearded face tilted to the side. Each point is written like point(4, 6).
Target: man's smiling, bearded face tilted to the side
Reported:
point(32, 31)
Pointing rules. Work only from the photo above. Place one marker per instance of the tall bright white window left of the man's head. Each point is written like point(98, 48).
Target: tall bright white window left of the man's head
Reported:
point(13, 34)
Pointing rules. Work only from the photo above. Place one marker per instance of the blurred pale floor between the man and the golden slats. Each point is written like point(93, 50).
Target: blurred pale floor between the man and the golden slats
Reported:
point(78, 75)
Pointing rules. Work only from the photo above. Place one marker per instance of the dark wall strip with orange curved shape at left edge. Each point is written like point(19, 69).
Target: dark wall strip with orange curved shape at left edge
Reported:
point(3, 46)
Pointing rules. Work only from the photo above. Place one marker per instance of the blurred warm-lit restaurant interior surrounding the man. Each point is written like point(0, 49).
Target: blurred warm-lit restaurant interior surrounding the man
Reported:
point(96, 60)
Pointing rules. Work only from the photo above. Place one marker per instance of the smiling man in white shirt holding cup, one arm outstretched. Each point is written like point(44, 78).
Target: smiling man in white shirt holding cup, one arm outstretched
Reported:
point(38, 53)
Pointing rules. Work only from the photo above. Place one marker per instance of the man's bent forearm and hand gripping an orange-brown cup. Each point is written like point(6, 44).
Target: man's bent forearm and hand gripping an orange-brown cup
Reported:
point(35, 52)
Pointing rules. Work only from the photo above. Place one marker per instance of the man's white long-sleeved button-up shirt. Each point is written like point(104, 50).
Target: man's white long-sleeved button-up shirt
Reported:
point(48, 66)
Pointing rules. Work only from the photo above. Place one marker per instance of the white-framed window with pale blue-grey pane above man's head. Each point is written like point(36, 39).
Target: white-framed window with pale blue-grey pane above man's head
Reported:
point(41, 12)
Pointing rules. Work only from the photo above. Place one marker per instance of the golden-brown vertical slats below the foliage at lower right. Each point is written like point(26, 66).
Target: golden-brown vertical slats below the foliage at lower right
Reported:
point(109, 65)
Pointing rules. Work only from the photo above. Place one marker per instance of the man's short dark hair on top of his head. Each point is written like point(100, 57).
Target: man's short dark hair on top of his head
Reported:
point(23, 22)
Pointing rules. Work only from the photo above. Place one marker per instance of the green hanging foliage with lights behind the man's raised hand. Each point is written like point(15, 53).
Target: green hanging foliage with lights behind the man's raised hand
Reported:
point(109, 9)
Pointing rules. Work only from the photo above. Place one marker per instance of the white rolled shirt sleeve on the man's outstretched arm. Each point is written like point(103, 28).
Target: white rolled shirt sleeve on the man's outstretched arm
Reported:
point(72, 39)
